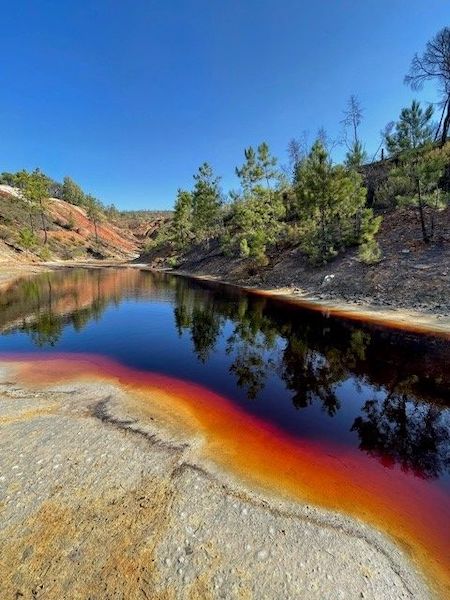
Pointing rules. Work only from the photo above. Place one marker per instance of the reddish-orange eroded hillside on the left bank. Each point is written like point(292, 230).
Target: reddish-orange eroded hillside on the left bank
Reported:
point(71, 234)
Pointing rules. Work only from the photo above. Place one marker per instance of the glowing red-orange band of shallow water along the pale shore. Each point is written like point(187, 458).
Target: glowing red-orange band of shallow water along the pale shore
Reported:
point(414, 511)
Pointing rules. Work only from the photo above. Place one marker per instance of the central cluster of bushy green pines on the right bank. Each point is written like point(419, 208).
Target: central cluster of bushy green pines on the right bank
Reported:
point(322, 209)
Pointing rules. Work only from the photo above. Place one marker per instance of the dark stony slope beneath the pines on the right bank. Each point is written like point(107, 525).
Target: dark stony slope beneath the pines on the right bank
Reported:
point(411, 274)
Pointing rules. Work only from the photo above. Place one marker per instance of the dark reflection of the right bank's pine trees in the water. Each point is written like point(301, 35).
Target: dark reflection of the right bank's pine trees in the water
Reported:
point(404, 423)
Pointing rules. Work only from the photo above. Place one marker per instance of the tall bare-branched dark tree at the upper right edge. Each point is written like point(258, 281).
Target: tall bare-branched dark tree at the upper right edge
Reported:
point(434, 65)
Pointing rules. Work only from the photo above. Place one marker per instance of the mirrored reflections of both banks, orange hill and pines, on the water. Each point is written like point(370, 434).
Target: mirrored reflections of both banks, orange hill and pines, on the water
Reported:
point(389, 391)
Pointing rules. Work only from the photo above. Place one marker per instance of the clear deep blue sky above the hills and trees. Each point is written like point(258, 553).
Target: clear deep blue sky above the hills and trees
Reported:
point(129, 97)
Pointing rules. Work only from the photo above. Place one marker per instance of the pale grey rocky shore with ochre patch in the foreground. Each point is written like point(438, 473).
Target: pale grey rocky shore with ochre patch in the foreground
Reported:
point(100, 499)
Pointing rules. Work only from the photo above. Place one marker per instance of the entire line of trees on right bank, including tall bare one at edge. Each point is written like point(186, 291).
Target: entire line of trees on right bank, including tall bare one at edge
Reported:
point(322, 207)
